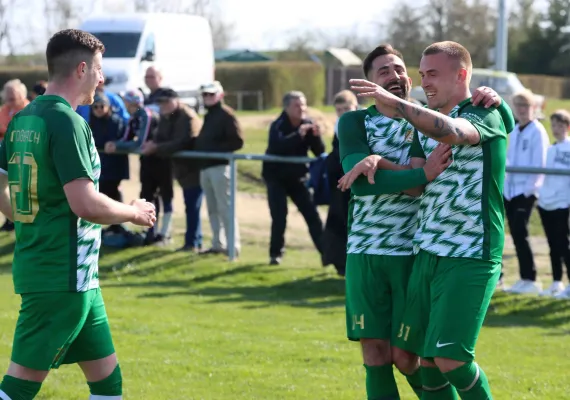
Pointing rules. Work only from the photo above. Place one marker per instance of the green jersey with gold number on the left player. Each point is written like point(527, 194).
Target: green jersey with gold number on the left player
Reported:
point(47, 145)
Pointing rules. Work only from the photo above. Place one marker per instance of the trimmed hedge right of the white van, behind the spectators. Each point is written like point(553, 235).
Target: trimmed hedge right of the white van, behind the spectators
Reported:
point(273, 79)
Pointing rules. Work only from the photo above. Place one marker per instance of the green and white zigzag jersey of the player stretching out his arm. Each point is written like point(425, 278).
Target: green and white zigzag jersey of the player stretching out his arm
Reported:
point(462, 211)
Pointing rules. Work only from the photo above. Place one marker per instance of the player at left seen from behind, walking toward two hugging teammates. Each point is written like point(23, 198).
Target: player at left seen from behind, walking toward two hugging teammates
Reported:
point(51, 166)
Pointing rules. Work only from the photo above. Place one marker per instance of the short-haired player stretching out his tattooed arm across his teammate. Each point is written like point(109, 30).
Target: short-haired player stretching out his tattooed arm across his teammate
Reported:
point(459, 241)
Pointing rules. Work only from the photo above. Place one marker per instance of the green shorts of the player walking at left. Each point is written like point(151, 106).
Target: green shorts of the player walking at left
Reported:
point(61, 328)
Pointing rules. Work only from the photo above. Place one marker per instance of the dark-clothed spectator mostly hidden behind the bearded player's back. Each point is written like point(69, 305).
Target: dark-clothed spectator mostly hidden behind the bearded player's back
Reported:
point(335, 235)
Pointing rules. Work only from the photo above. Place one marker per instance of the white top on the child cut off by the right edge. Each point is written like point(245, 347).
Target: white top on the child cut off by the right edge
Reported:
point(555, 191)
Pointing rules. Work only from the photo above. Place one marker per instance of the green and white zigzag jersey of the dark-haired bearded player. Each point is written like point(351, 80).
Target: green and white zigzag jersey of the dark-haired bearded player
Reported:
point(382, 224)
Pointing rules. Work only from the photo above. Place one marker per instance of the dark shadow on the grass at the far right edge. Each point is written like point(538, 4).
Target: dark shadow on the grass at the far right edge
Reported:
point(509, 310)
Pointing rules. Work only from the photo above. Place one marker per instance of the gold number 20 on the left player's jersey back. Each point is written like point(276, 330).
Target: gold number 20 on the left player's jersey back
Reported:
point(24, 187)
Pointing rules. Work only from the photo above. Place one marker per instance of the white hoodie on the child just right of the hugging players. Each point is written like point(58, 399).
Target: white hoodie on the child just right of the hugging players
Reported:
point(526, 149)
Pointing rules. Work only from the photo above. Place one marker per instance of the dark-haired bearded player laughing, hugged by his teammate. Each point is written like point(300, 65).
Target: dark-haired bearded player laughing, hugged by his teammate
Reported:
point(382, 223)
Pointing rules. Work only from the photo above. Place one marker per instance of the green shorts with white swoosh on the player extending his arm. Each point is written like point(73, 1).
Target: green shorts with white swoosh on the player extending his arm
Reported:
point(446, 304)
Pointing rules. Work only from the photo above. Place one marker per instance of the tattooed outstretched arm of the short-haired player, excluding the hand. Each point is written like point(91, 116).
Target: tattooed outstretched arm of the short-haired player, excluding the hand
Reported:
point(444, 129)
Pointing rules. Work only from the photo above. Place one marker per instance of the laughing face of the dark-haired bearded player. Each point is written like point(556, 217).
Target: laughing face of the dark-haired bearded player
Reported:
point(389, 71)
